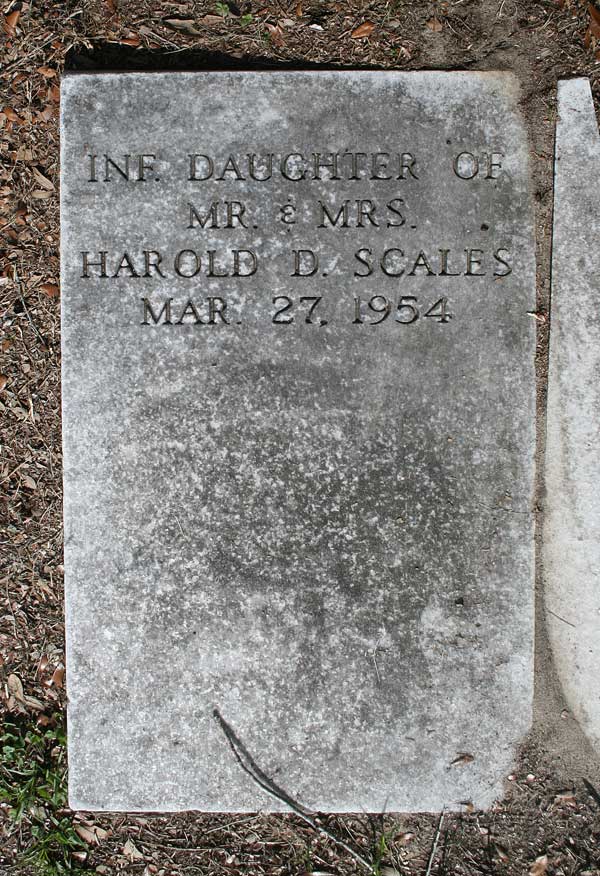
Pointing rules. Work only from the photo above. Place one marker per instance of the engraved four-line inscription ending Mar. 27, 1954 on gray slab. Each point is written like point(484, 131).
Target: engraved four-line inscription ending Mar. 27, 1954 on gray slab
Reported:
point(369, 198)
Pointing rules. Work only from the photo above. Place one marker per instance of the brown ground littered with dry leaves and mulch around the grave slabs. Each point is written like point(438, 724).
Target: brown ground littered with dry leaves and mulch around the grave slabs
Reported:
point(549, 821)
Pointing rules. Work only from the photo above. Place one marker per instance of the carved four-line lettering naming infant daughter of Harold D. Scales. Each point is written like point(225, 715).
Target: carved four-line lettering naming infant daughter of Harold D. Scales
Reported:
point(405, 259)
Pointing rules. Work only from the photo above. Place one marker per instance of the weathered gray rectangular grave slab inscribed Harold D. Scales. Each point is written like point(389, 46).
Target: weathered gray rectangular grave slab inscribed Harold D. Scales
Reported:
point(298, 435)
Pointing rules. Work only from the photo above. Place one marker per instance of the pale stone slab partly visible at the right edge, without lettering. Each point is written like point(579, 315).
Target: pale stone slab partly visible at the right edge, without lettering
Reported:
point(571, 542)
